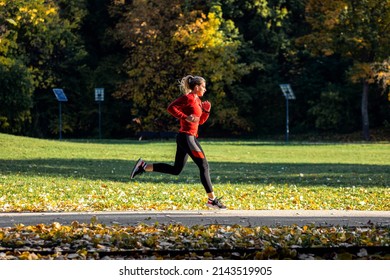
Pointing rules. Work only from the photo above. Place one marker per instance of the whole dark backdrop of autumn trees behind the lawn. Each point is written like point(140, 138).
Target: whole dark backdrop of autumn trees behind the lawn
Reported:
point(331, 52)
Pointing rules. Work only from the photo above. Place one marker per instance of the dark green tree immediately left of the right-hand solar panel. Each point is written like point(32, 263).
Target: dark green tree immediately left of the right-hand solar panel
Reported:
point(263, 28)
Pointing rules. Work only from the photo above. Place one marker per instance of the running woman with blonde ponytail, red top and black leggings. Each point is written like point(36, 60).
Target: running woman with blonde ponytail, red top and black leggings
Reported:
point(191, 112)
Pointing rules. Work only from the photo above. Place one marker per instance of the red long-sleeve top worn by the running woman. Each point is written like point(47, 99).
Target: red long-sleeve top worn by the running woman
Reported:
point(185, 105)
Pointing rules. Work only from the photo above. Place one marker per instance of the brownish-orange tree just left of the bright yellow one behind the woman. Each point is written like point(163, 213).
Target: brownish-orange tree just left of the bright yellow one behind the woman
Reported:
point(153, 64)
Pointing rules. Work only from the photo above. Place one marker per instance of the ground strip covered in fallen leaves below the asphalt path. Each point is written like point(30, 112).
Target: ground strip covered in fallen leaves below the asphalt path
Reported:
point(174, 241)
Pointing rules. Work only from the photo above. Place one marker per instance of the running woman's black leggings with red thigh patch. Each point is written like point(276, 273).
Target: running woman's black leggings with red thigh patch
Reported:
point(188, 145)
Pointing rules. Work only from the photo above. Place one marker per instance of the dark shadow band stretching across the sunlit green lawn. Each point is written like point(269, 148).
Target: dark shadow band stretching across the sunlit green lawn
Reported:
point(301, 174)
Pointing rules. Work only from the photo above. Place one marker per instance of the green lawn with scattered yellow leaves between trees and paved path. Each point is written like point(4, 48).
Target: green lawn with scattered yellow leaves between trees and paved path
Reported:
point(81, 175)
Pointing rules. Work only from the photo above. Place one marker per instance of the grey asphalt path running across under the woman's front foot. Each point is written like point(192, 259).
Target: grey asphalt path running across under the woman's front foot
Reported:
point(204, 217)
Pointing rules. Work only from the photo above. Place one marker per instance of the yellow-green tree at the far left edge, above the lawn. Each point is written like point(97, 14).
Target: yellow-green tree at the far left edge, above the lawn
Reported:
point(39, 47)
